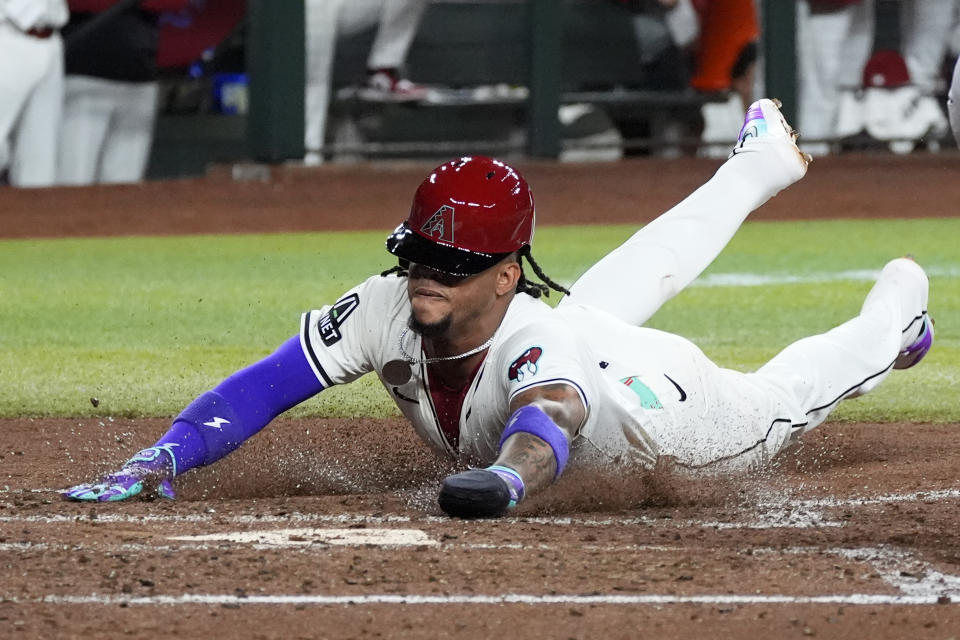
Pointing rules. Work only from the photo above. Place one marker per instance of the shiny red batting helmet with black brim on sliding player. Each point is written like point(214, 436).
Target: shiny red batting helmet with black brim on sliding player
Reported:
point(468, 214)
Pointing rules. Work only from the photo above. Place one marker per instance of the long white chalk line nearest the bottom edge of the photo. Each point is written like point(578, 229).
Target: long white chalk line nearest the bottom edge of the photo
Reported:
point(507, 598)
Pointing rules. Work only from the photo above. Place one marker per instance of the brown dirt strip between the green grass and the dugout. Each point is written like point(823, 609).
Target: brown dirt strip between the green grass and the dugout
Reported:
point(378, 197)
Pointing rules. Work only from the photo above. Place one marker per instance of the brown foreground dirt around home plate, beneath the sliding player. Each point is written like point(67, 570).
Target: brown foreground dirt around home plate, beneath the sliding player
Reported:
point(853, 535)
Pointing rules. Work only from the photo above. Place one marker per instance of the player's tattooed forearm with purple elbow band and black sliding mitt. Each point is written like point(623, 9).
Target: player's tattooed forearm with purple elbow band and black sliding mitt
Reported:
point(533, 453)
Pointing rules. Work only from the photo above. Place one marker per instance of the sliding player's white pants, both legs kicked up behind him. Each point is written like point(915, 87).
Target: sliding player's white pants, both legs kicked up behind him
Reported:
point(728, 419)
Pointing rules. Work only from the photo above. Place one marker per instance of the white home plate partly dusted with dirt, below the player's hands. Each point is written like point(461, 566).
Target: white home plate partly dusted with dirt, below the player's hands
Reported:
point(297, 537)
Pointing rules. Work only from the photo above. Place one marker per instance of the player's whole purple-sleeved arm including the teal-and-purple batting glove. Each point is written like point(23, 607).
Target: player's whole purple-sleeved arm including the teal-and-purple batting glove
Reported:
point(212, 426)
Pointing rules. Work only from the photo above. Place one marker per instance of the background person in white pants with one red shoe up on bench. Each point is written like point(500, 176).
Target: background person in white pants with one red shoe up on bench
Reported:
point(397, 23)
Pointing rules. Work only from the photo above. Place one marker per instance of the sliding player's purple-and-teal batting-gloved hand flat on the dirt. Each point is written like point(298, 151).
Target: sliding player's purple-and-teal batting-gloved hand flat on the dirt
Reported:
point(147, 474)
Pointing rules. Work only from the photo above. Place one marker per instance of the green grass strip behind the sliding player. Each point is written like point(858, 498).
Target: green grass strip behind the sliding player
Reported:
point(146, 324)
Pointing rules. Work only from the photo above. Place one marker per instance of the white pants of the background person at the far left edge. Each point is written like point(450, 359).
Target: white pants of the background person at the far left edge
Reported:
point(31, 102)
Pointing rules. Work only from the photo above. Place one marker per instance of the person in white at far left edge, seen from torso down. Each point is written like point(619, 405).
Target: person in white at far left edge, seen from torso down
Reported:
point(31, 89)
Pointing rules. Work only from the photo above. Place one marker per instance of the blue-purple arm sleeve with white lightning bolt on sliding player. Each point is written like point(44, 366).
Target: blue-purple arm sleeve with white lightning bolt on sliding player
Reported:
point(218, 421)
